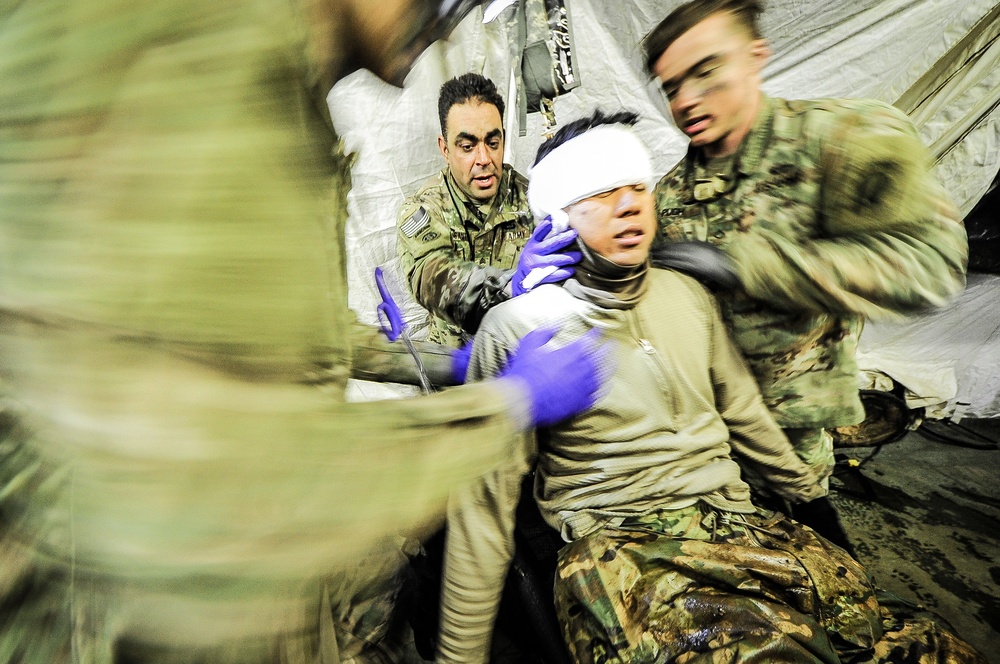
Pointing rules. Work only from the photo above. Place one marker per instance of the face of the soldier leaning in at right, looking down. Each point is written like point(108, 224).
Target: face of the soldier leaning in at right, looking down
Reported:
point(711, 77)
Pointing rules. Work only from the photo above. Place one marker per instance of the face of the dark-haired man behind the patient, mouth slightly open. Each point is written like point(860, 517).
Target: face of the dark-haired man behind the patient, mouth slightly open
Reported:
point(473, 148)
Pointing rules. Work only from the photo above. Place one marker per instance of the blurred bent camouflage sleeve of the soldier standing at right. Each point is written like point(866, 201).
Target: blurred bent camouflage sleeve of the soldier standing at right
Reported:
point(889, 239)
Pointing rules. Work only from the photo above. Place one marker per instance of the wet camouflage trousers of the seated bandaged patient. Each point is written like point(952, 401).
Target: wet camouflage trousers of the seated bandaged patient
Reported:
point(698, 585)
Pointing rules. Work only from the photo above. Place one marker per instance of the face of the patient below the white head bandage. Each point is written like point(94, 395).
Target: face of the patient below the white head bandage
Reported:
point(618, 224)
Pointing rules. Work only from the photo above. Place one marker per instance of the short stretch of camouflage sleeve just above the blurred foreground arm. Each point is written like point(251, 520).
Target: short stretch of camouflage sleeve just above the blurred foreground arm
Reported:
point(373, 357)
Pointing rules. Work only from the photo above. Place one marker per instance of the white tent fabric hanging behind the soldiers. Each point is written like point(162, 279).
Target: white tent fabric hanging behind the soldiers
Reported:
point(938, 60)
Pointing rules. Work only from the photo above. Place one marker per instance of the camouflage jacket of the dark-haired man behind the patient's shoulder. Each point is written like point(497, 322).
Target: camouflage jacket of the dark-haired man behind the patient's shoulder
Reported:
point(459, 256)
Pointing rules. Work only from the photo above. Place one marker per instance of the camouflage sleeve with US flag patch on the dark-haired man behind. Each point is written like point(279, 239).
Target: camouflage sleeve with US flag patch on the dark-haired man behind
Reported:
point(441, 279)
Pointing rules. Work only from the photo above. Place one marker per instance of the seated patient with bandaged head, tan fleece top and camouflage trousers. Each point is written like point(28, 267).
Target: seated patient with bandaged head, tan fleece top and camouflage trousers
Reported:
point(666, 557)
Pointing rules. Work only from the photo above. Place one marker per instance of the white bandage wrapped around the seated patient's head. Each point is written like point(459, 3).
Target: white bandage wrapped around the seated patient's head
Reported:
point(601, 159)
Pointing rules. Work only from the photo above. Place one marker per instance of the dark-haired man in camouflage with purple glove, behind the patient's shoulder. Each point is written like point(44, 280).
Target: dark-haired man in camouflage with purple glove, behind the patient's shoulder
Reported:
point(460, 236)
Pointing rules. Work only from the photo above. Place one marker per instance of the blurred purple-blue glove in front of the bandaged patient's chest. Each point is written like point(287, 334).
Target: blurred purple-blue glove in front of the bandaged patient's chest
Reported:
point(562, 382)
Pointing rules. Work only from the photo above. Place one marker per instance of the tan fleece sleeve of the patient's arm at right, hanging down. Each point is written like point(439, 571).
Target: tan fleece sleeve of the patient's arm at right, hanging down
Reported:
point(755, 437)
